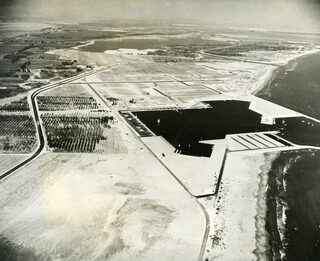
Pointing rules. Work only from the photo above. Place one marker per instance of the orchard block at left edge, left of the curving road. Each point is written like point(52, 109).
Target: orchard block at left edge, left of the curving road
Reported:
point(18, 133)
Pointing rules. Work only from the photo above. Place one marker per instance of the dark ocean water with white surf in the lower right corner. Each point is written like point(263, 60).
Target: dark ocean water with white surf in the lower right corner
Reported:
point(293, 203)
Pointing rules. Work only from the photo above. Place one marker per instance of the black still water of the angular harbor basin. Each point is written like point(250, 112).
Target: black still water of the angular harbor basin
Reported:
point(183, 129)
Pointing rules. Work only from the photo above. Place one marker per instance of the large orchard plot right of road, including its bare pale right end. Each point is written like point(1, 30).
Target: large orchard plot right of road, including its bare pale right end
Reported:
point(78, 133)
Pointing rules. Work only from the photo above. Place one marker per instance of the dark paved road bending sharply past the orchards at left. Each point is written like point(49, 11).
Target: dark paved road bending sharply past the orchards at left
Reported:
point(36, 116)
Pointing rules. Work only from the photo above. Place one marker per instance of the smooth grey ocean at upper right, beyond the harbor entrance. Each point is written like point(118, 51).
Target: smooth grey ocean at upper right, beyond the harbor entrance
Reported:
point(296, 86)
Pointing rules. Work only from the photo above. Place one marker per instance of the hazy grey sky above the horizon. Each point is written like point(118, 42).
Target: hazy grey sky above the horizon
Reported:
point(280, 15)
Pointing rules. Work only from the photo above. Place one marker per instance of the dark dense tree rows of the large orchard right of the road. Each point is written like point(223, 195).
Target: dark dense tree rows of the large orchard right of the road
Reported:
point(75, 133)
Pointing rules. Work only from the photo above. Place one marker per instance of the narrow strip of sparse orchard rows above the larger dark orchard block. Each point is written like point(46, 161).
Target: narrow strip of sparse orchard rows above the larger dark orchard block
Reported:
point(61, 103)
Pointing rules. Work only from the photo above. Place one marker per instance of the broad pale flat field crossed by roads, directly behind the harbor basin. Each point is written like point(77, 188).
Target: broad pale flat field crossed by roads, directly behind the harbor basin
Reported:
point(151, 84)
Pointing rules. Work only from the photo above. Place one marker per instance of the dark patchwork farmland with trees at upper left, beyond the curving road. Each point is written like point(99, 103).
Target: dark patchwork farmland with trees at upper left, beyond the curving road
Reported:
point(24, 53)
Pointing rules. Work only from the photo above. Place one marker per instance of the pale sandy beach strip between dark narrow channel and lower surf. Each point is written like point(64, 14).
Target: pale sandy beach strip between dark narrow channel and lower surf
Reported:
point(238, 231)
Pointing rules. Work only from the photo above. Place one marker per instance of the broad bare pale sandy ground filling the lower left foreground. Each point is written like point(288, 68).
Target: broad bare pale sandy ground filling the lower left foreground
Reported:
point(96, 207)
